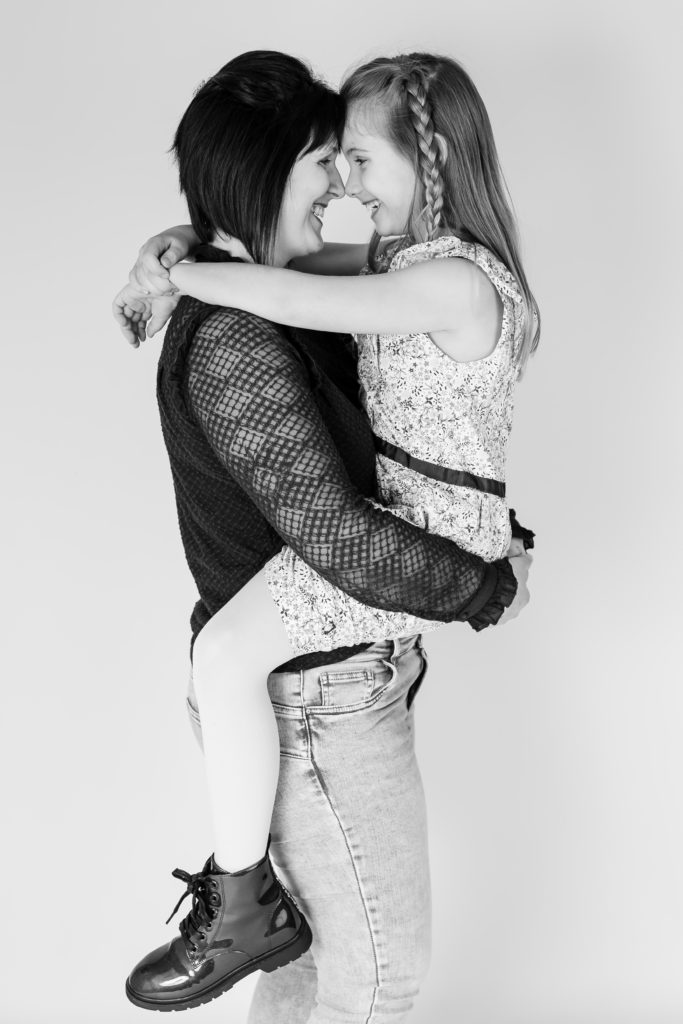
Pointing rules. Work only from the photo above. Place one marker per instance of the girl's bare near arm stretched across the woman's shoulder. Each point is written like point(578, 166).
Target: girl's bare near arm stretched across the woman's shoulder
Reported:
point(426, 297)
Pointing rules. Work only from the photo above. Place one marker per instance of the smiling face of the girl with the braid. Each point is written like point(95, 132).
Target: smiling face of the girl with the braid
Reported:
point(381, 178)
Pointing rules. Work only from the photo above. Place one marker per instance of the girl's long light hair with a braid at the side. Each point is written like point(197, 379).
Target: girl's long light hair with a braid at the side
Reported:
point(462, 190)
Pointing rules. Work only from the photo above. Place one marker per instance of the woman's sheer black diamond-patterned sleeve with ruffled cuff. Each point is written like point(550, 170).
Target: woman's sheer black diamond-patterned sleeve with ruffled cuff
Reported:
point(251, 393)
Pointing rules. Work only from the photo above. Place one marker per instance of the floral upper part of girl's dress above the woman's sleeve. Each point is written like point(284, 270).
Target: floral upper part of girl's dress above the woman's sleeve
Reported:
point(456, 415)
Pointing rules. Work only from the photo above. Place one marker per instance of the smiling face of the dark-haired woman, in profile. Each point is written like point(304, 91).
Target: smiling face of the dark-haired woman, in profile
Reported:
point(313, 184)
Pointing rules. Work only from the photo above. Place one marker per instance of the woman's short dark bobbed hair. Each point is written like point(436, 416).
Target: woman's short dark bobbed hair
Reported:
point(240, 139)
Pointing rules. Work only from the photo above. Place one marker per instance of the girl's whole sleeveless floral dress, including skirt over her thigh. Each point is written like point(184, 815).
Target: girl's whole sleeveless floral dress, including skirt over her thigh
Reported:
point(436, 413)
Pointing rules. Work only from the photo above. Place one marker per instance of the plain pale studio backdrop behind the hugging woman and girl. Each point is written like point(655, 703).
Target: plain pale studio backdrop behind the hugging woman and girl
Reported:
point(550, 749)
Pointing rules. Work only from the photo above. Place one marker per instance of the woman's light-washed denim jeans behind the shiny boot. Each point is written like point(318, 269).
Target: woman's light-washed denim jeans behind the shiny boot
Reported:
point(350, 840)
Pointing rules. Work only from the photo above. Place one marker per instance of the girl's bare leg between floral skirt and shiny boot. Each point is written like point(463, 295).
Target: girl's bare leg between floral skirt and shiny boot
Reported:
point(233, 658)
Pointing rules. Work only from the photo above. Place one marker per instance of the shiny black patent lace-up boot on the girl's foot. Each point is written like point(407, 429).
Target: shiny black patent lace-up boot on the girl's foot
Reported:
point(239, 924)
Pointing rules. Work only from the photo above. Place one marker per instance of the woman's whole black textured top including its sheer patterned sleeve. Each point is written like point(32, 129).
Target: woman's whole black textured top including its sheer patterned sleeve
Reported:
point(269, 445)
